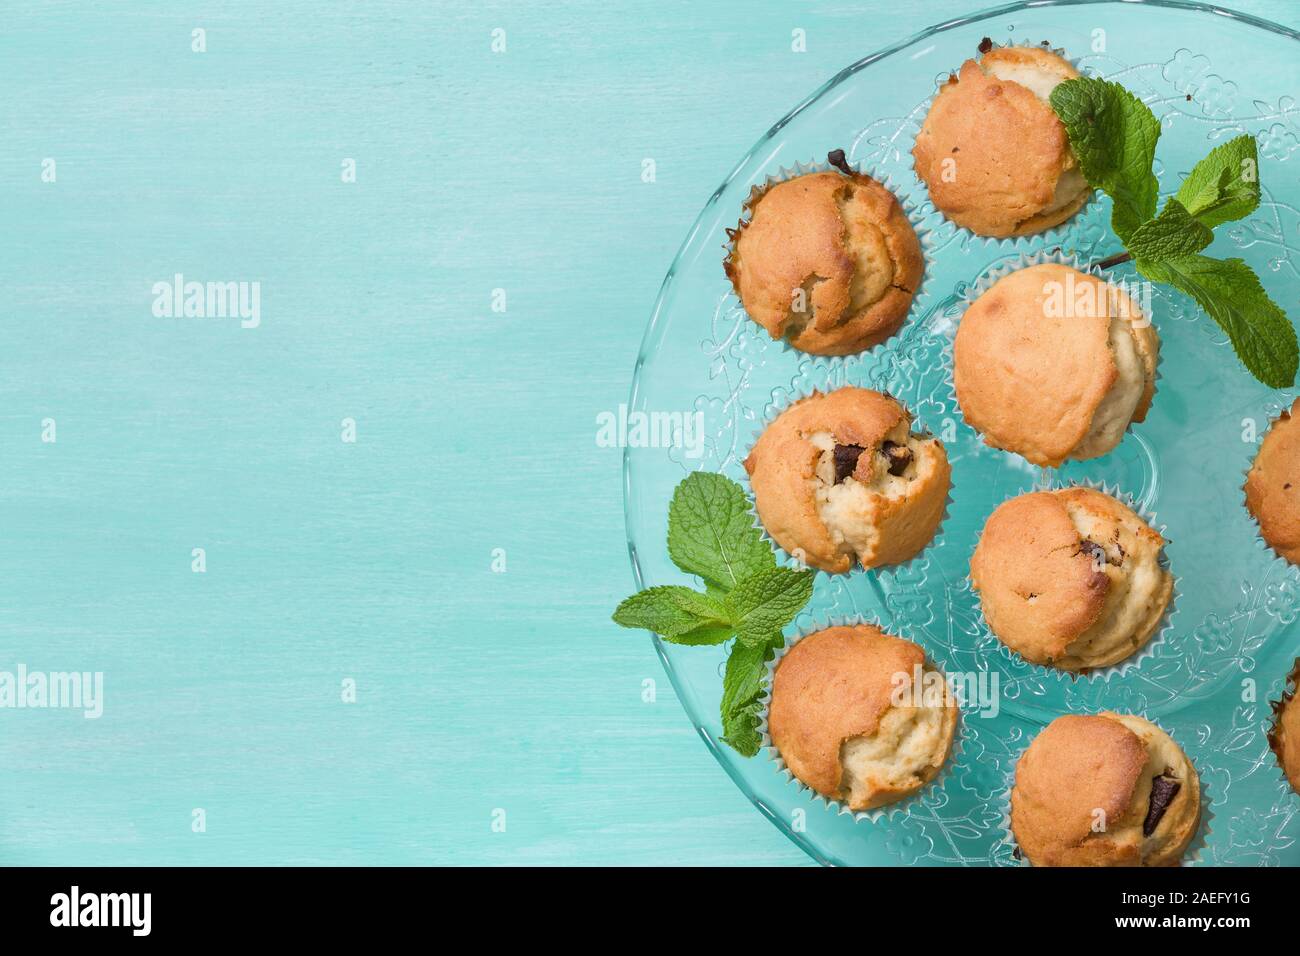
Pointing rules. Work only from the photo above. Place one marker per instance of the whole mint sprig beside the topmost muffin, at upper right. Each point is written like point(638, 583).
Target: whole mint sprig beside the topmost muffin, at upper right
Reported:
point(1113, 136)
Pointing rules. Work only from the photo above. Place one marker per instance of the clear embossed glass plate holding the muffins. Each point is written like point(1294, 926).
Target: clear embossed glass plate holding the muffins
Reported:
point(1208, 75)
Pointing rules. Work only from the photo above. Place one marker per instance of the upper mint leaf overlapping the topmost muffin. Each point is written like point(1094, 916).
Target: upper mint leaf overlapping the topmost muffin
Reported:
point(1113, 136)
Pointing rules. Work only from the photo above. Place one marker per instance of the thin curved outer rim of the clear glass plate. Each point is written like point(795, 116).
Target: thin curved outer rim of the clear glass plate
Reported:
point(648, 339)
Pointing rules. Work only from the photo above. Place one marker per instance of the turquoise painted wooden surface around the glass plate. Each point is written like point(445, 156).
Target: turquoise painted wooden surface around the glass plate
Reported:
point(367, 561)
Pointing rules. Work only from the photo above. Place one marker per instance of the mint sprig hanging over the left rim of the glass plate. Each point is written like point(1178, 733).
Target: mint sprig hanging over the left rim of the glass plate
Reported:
point(747, 596)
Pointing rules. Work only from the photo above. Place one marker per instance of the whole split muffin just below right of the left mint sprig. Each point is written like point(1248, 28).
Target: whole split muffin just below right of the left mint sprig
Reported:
point(851, 723)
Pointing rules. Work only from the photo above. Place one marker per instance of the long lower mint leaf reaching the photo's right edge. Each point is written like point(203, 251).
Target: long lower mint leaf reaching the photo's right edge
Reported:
point(1230, 292)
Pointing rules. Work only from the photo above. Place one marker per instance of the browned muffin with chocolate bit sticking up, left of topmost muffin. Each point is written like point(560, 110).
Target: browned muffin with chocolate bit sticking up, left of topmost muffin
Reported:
point(826, 261)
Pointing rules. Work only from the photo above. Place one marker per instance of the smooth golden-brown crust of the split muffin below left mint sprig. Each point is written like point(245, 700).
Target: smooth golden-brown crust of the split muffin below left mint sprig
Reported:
point(833, 686)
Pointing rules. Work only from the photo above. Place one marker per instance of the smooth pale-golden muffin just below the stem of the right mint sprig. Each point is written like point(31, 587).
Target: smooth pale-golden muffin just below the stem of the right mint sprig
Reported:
point(1054, 365)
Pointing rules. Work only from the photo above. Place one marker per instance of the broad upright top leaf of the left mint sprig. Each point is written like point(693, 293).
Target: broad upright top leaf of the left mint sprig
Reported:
point(712, 531)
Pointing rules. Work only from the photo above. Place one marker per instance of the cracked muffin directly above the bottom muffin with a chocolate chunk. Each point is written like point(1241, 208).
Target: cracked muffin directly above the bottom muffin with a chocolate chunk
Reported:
point(1071, 579)
